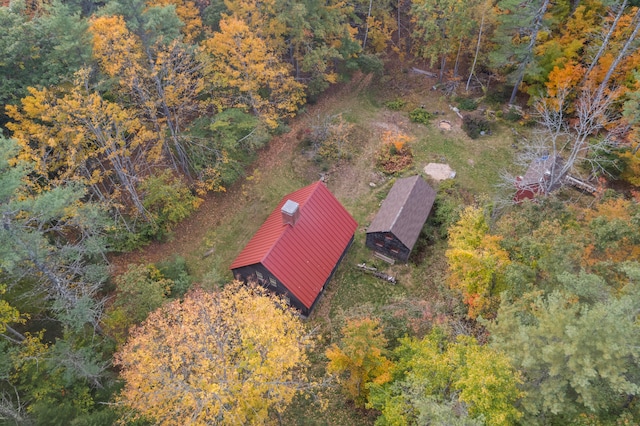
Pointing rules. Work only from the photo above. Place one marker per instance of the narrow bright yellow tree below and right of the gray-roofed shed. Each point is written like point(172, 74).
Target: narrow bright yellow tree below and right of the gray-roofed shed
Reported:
point(476, 263)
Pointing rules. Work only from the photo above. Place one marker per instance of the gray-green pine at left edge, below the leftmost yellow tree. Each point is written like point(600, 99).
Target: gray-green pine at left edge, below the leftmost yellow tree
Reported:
point(35, 243)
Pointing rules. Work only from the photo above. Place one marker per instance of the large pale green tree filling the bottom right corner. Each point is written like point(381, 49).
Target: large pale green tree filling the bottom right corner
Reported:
point(576, 358)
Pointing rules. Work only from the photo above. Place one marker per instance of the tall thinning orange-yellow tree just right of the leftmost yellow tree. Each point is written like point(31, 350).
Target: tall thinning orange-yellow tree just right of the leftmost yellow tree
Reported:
point(164, 81)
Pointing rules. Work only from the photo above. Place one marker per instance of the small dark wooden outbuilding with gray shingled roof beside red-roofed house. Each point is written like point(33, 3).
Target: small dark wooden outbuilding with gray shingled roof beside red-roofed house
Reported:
point(397, 226)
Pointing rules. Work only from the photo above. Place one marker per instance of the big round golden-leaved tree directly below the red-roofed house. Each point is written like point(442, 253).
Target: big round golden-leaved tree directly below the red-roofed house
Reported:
point(232, 357)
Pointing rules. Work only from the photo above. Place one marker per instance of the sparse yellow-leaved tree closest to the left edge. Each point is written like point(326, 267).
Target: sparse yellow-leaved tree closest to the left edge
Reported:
point(74, 134)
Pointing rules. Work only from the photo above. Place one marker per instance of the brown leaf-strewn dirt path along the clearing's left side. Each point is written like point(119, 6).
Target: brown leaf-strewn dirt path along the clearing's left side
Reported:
point(216, 207)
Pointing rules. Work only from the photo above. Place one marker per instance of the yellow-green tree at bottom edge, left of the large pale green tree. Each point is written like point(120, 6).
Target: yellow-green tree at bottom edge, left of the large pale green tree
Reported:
point(431, 376)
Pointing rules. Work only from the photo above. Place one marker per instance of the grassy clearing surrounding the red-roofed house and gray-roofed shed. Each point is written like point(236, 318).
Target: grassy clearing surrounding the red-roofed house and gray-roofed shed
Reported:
point(421, 287)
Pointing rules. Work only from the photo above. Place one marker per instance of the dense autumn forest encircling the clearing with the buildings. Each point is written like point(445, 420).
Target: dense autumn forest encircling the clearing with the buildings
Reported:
point(118, 118)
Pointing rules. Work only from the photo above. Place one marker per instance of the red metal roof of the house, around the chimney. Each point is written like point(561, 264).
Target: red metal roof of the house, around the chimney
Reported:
point(302, 256)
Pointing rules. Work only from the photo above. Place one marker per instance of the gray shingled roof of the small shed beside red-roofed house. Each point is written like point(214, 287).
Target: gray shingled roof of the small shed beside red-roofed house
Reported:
point(405, 210)
